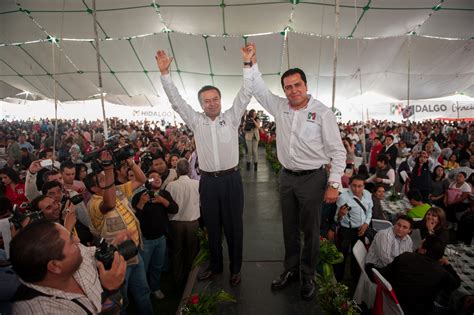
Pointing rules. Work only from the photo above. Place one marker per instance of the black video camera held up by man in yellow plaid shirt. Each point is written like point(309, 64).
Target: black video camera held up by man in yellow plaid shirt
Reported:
point(119, 154)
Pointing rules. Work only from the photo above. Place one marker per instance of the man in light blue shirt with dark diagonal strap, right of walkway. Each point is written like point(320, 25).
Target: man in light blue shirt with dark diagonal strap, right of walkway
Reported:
point(354, 215)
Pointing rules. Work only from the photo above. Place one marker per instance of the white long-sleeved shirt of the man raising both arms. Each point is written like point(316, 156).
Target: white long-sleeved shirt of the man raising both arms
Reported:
point(217, 141)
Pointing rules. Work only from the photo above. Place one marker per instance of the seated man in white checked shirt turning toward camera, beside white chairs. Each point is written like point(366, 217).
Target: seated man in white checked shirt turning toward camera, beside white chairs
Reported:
point(390, 243)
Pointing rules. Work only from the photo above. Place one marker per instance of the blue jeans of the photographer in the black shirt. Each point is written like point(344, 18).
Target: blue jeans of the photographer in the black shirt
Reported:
point(154, 252)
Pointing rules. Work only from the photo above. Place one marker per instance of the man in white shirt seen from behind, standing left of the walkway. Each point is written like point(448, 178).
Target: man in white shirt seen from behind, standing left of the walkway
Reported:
point(184, 224)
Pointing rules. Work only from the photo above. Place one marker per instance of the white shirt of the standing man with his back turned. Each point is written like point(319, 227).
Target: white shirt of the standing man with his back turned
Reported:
point(185, 192)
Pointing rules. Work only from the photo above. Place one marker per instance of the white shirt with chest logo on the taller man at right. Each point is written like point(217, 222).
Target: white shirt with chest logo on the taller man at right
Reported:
point(307, 138)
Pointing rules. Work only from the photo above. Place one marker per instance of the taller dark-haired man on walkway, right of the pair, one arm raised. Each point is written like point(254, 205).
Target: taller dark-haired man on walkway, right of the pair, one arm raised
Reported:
point(308, 139)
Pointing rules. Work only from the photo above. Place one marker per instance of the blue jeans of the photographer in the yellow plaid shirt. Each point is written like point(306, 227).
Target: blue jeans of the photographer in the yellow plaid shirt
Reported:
point(135, 282)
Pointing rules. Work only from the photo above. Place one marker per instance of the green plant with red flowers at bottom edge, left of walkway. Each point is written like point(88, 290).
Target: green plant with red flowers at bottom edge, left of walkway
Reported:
point(206, 304)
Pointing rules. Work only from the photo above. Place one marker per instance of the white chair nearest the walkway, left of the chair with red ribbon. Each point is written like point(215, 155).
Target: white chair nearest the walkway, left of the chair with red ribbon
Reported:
point(366, 289)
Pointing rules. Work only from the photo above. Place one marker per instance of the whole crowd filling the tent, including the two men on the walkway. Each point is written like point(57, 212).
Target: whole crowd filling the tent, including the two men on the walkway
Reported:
point(152, 186)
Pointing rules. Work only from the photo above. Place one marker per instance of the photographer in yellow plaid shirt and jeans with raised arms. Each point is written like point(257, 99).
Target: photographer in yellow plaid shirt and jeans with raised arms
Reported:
point(110, 214)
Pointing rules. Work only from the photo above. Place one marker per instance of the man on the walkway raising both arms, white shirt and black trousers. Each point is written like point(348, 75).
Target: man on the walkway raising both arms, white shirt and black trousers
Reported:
point(216, 135)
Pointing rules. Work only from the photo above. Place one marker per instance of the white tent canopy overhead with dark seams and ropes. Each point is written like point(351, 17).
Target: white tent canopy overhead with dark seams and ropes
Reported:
point(377, 39)
